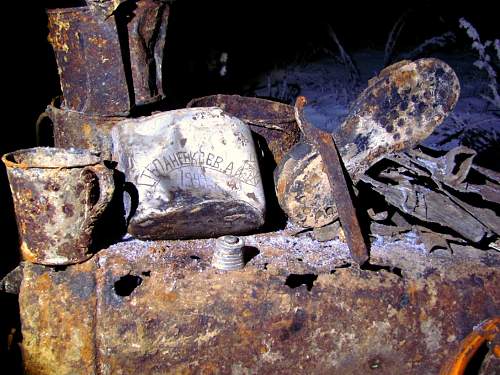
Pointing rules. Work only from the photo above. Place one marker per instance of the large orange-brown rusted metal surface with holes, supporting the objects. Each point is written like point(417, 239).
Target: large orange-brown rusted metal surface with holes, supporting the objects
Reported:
point(184, 317)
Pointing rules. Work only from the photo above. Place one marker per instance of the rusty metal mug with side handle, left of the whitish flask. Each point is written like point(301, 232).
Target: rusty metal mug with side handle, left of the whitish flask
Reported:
point(59, 196)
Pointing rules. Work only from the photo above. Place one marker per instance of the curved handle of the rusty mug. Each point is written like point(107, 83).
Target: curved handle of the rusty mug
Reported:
point(104, 178)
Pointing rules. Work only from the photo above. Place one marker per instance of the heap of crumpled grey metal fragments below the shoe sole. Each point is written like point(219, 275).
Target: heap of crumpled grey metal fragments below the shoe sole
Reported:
point(455, 199)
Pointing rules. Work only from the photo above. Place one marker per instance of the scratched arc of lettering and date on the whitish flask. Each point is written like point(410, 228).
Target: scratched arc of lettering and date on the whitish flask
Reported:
point(244, 171)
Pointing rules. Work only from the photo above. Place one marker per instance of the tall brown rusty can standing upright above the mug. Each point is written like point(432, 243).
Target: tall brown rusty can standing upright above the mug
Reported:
point(90, 63)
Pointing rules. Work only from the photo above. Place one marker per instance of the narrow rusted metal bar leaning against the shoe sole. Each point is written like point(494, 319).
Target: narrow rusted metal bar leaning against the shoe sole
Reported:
point(326, 147)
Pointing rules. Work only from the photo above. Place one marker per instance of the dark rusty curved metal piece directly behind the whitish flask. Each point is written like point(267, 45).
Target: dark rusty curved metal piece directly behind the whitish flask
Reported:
point(273, 121)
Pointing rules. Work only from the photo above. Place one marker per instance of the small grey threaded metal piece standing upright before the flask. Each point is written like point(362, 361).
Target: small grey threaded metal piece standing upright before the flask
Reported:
point(228, 253)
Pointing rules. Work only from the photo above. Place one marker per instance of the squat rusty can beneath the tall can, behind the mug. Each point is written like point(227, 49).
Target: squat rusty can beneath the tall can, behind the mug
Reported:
point(80, 130)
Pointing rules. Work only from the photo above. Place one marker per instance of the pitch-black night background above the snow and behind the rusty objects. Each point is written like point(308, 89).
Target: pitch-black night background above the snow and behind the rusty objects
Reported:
point(258, 36)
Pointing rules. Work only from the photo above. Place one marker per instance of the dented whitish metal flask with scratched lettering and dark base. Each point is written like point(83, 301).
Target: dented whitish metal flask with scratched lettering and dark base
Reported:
point(195, 171)
